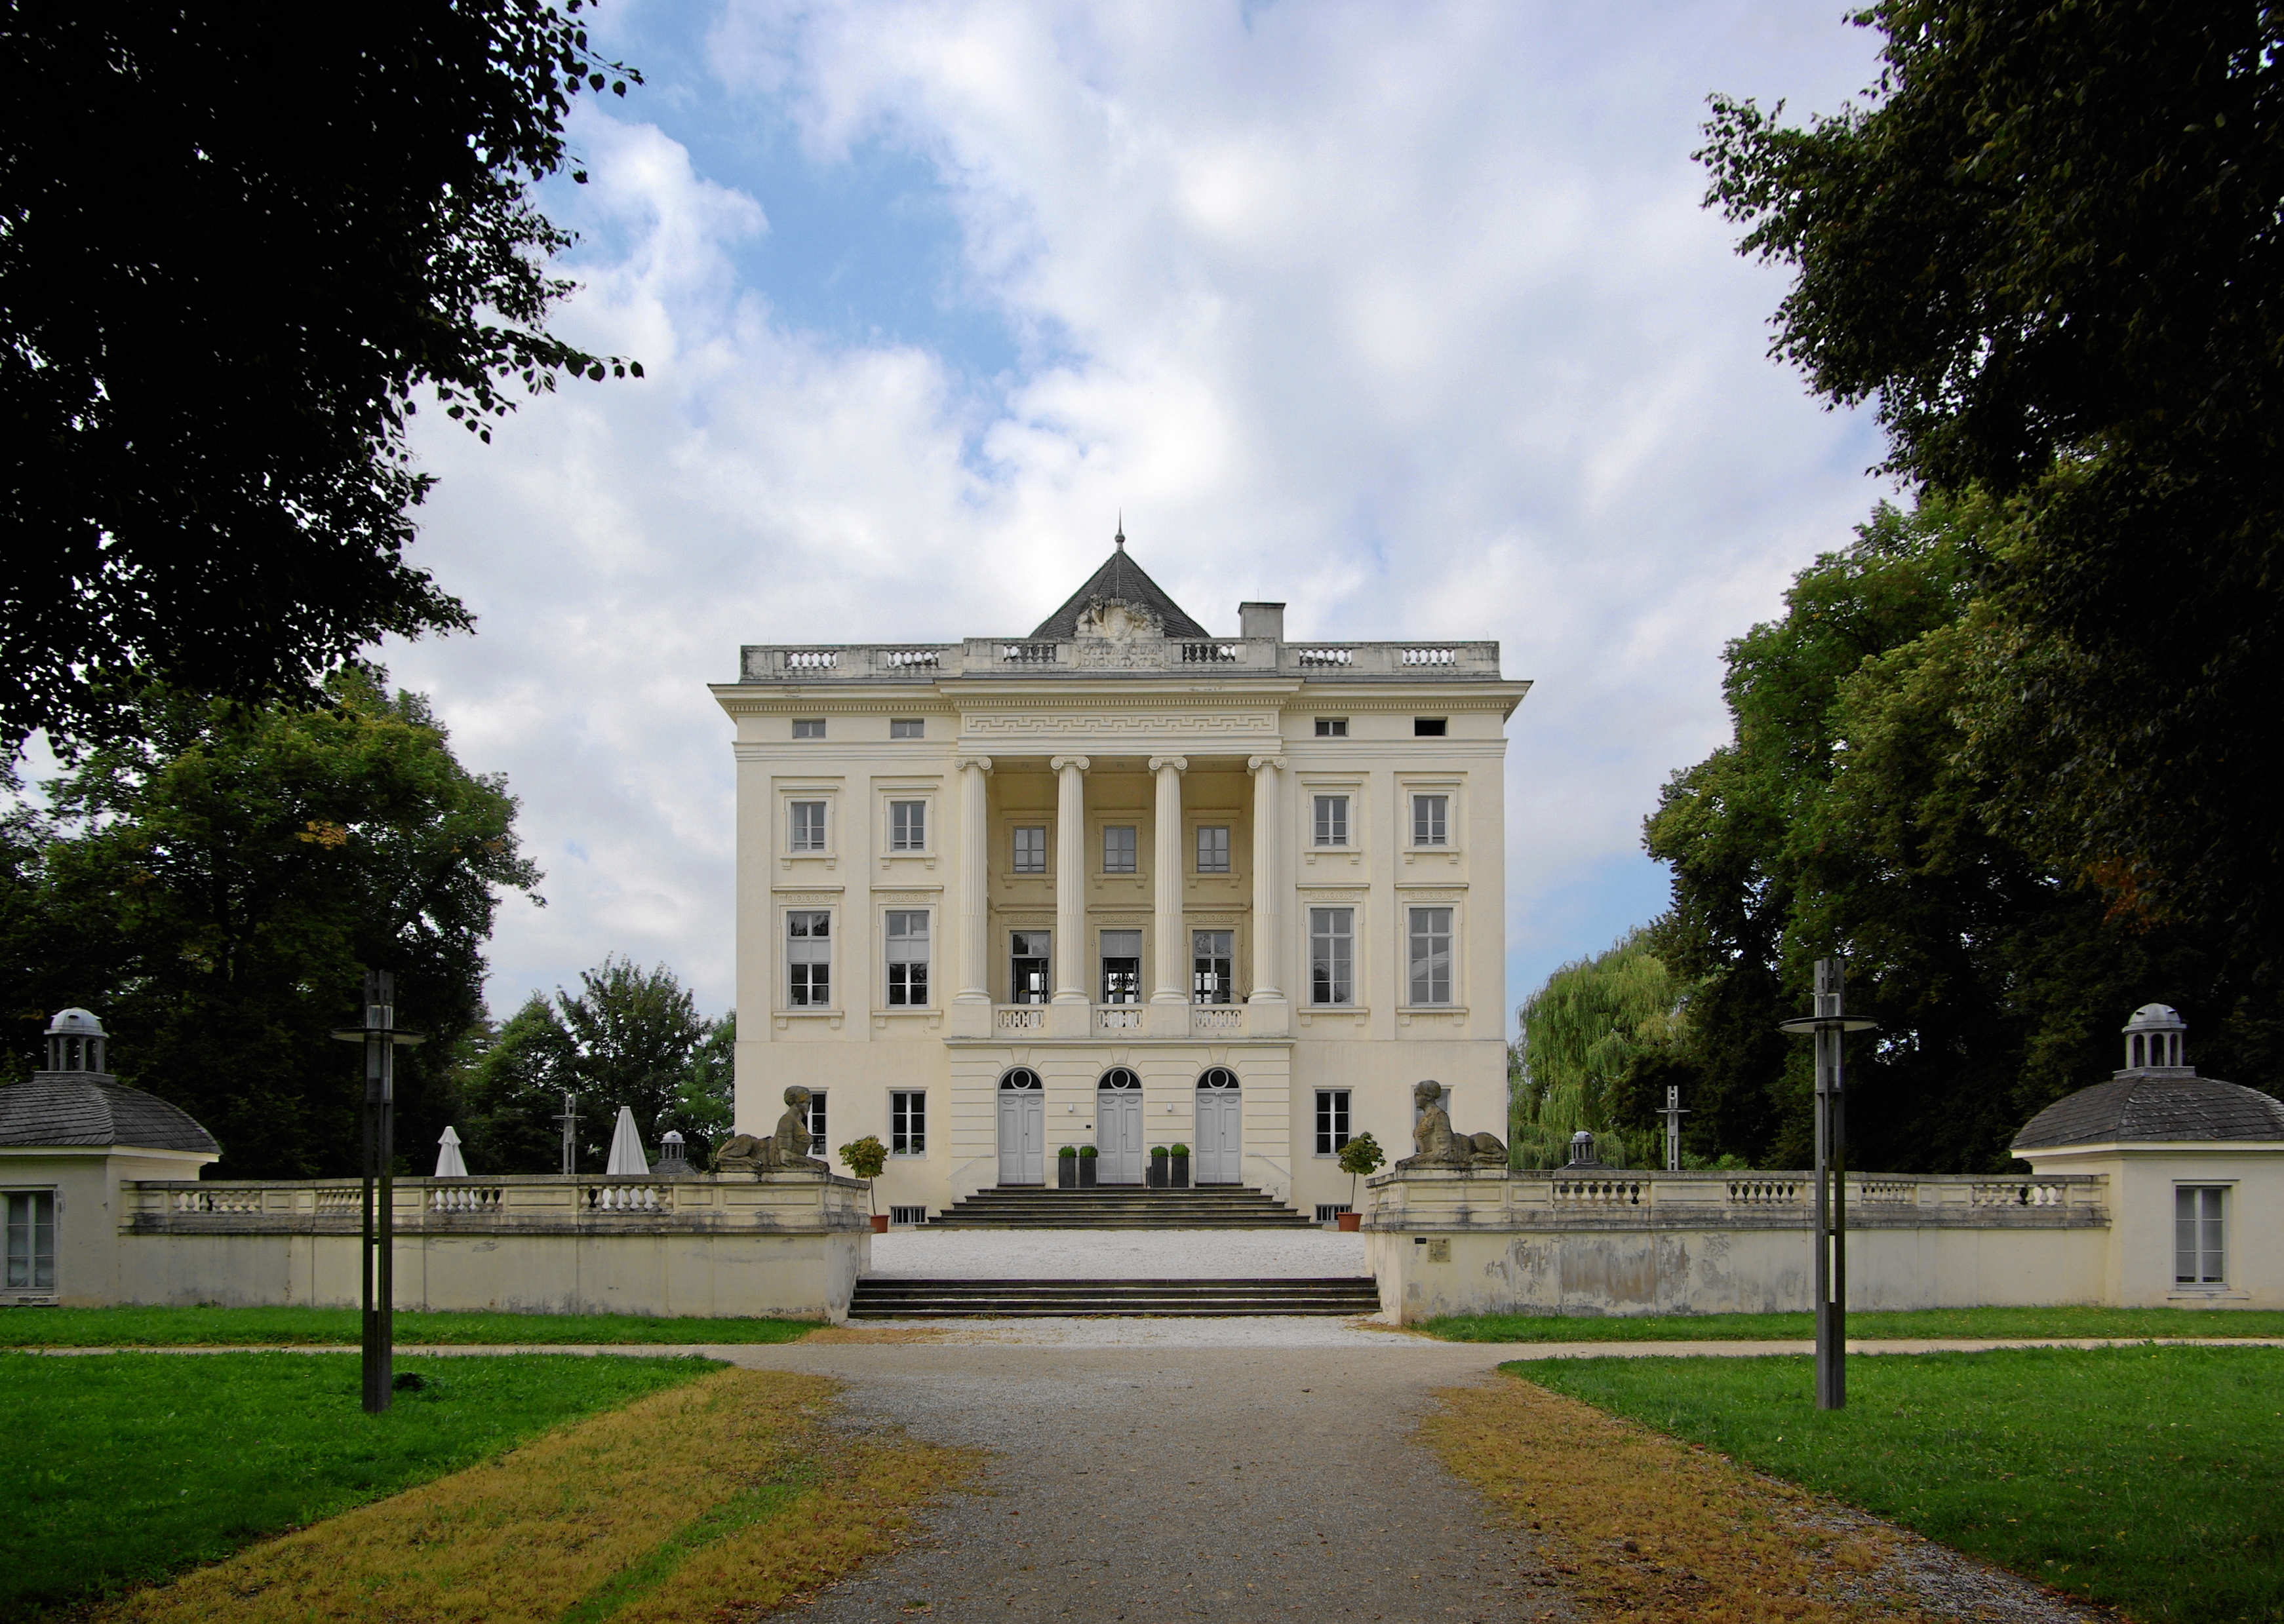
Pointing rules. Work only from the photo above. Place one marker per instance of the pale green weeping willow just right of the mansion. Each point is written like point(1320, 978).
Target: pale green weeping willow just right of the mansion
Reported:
point(1598, 1043)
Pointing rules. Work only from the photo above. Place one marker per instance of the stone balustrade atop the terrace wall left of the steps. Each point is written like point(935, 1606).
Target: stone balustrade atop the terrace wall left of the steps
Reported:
point(794, 1203)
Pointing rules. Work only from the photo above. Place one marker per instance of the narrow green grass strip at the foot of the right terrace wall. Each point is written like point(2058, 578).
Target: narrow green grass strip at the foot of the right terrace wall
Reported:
point(1979, 1324)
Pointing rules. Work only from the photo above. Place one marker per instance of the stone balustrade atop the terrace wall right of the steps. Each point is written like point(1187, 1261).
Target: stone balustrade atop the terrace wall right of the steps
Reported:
point(1726, 1200)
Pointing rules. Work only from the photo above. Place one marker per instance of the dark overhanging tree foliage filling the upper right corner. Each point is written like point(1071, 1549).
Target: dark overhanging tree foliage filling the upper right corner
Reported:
point(2050, 250)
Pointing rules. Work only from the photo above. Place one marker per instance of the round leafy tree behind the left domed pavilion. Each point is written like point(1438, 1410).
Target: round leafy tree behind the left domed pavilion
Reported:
point(216, 887)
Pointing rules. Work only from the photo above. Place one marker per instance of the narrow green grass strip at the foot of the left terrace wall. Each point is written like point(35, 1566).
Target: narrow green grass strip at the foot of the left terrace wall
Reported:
point(236, 1328)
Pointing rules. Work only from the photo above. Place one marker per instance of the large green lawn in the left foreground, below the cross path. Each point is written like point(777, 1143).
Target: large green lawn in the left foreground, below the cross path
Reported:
point(127, 1468)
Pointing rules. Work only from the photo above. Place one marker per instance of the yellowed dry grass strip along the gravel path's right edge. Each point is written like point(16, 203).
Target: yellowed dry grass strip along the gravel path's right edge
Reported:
point(1650, 1529)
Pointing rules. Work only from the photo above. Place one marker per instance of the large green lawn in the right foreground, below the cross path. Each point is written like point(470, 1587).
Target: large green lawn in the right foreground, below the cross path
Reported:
point(2144, 1479)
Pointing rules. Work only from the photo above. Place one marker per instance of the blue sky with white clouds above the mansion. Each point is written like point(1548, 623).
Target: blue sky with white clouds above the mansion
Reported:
point(1404, 314)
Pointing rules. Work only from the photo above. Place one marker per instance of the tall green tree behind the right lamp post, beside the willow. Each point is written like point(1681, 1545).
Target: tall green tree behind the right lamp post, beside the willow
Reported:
point(1853, 814)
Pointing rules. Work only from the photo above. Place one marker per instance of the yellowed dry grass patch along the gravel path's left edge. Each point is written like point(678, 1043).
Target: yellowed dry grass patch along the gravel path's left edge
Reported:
point(714, 1500)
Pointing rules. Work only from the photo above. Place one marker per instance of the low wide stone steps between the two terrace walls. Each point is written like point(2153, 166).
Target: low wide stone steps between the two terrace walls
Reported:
point(1034, 1299)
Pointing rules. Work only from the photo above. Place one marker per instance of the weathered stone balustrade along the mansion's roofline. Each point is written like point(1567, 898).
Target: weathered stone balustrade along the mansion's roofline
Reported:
point(1127, 657)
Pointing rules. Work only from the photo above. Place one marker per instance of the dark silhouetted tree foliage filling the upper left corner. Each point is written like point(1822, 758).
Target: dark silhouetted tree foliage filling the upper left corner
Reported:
point(236, 243)
